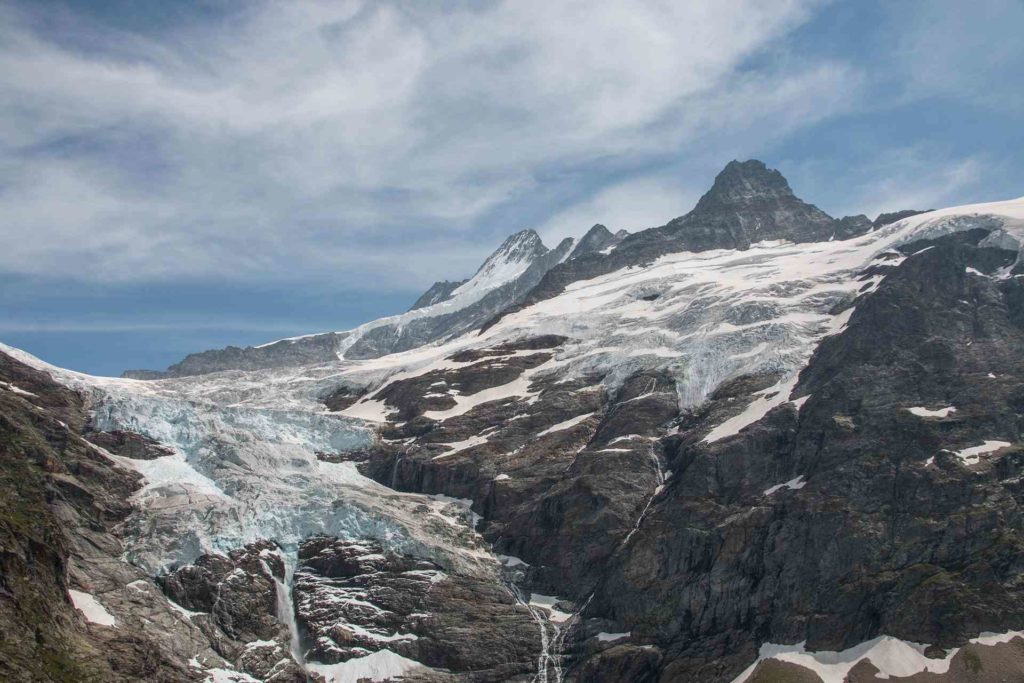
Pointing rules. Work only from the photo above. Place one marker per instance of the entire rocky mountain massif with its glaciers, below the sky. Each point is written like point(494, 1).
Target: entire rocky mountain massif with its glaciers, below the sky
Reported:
point(755, 445)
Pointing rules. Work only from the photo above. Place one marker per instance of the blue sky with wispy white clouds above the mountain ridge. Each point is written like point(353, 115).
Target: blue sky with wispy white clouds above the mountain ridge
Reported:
point(177, 177)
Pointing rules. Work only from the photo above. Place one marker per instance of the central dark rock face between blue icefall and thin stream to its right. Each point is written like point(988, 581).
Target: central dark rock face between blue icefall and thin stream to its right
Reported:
point(560, 479)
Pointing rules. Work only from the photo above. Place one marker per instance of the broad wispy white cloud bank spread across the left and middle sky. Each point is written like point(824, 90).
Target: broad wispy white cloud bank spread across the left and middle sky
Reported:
point(343, 142)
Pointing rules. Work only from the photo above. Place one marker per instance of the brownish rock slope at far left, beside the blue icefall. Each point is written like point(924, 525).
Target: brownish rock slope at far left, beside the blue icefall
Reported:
point(61, 504)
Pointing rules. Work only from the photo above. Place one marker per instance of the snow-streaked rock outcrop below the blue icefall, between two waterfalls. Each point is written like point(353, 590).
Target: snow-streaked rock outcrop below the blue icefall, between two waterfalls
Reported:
point(355, 599)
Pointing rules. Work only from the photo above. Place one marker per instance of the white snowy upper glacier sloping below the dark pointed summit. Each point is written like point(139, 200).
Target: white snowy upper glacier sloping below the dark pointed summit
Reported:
point(707, 317)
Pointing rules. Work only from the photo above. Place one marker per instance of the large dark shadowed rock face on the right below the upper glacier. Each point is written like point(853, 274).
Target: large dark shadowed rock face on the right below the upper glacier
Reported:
point(865, 546)
